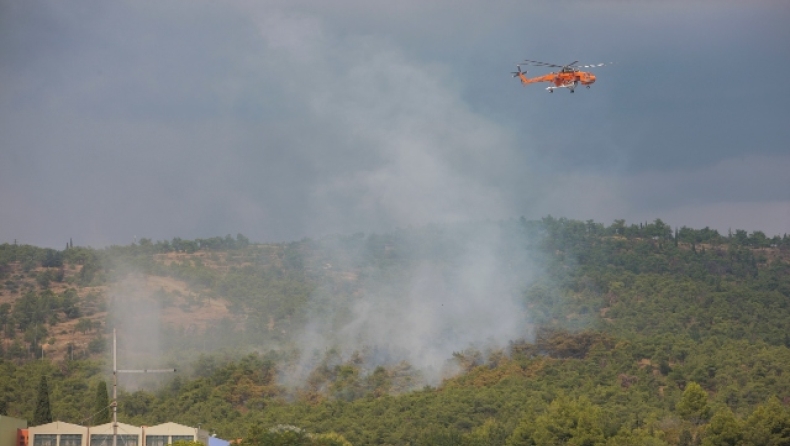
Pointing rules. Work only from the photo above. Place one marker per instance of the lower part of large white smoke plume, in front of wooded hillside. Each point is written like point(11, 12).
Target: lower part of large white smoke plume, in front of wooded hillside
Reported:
point(459, 289)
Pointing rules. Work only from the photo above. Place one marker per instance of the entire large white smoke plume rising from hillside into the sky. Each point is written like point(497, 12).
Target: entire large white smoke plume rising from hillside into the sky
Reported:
point(401, 149)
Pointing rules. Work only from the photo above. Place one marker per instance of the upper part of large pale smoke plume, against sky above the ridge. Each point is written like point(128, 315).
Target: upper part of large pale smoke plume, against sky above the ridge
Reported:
point(389, 139)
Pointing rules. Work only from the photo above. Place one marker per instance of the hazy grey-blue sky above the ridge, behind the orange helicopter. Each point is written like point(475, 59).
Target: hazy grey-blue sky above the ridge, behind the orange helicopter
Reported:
point(286, 119)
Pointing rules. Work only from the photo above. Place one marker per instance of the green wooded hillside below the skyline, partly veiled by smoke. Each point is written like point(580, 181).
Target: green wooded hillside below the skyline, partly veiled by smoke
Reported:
point(544, 332)
